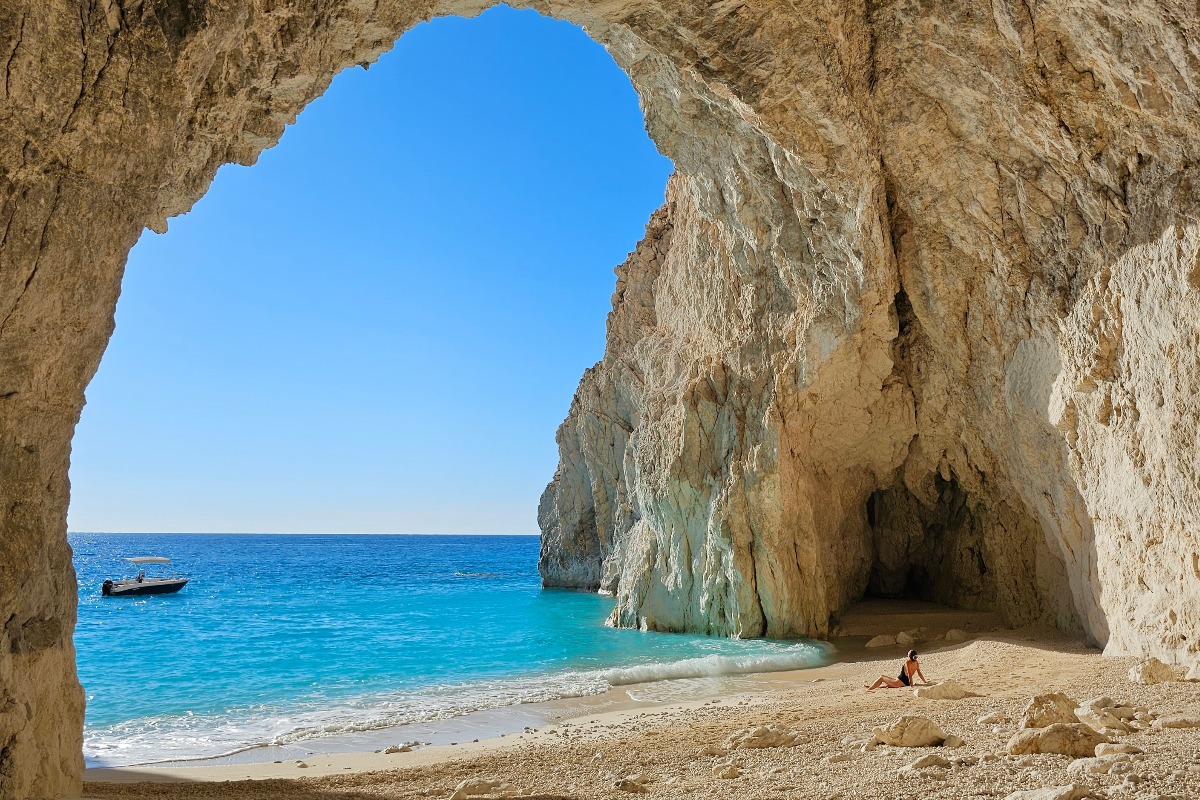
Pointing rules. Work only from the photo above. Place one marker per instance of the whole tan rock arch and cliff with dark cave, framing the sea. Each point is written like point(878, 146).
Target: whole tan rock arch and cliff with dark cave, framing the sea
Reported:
point(920, 316)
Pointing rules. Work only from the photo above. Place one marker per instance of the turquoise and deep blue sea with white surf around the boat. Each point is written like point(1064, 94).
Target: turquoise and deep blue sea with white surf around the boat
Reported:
point(280, 640)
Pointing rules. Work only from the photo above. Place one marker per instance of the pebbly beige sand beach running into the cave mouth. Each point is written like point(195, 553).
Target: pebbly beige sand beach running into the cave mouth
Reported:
point(638, 741)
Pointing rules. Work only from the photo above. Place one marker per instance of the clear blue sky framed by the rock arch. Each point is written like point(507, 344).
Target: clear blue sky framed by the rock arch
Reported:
point(380, 327)
